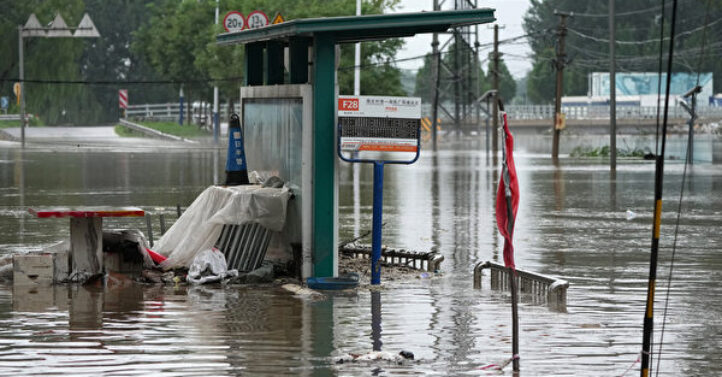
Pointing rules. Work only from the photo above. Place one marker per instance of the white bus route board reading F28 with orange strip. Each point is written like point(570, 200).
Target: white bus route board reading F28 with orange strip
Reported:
point(379, 124)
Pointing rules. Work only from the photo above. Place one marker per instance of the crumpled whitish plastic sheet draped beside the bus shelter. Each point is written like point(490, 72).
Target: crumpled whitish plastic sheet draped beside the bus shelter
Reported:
point(201, 224)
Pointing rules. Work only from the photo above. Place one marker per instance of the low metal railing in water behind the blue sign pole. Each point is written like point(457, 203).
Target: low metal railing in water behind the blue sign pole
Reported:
point(428, 261)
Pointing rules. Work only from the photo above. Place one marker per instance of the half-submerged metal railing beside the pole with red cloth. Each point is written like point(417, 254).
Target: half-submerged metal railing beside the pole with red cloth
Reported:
point(546, 289)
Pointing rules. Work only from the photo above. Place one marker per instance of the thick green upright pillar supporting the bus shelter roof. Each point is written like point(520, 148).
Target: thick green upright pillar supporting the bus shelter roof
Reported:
point(324, 156)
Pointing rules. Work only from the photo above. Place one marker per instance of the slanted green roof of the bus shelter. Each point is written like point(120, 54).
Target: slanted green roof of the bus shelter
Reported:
point(369, 27)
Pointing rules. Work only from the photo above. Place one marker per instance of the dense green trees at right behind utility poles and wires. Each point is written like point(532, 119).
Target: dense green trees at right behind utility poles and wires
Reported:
point(585, 55)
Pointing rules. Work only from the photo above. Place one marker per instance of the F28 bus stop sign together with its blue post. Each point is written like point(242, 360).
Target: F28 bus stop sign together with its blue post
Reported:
point(379, 130)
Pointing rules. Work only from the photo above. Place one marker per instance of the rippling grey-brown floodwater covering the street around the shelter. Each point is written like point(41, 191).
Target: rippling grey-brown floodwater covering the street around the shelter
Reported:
point(572, 223)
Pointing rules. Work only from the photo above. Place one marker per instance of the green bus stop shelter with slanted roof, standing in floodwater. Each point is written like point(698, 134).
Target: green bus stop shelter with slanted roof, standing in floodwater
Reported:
point(302, 53)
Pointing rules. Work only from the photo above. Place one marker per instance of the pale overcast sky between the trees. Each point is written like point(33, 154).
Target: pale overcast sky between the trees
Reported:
point(509, 15)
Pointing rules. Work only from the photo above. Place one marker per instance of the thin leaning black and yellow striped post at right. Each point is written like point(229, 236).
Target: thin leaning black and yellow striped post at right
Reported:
point(658, 179)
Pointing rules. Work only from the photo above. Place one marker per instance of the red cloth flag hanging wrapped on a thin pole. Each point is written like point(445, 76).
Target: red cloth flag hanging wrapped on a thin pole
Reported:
point(507, 197)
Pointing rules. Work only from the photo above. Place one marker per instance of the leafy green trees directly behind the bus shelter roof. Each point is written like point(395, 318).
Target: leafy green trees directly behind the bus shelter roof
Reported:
point(179, 43)
